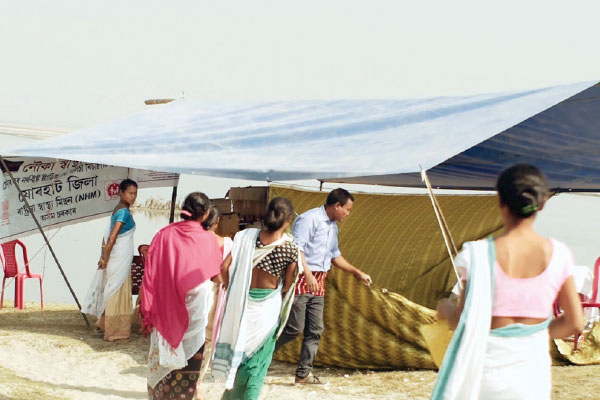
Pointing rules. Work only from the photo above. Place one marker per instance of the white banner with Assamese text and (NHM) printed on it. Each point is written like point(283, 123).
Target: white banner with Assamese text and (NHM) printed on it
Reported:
point(61, 192)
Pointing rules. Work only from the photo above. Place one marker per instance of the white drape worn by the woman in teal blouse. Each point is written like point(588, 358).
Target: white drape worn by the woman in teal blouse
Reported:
point(107, 282)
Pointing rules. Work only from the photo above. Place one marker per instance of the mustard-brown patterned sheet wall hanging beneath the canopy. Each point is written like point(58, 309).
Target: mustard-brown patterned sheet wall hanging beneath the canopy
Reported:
point(396, 239)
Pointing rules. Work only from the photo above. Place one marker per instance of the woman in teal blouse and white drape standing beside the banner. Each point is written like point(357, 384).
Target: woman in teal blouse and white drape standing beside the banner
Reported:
point(109, 295)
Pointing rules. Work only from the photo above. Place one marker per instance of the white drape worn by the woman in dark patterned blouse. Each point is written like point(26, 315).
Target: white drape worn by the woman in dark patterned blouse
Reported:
point(244, 328)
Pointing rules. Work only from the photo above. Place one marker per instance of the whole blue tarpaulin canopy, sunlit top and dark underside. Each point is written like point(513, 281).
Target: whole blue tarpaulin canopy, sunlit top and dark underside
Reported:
point(464, 142)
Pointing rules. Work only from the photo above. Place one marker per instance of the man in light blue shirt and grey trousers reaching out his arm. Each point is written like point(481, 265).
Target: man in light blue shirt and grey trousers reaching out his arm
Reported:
point(316, 234)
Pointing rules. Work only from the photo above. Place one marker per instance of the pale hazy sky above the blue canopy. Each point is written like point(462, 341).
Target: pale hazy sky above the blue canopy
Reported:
point(70, 64)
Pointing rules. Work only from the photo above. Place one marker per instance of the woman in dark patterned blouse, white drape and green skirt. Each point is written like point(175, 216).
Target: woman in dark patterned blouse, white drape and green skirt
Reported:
point(259, 273)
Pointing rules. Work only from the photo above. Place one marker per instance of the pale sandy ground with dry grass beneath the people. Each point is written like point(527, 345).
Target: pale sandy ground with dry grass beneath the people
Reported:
point(53, 355)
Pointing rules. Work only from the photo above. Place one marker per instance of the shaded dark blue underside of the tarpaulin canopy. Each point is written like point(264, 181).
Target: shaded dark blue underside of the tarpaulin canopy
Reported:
point(563, 141)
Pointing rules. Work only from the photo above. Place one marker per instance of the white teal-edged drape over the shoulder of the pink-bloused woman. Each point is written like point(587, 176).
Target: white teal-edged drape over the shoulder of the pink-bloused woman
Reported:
point(462, 368)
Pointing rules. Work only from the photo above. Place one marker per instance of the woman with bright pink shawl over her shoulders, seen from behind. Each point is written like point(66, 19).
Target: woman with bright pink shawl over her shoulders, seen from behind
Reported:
point(176, 299)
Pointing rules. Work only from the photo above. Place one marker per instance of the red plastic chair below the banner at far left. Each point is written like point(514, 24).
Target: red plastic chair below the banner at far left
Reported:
point(11, 270)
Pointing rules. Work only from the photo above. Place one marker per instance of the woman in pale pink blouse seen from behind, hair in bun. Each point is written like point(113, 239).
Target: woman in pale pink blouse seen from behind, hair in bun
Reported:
point(503, 320)
